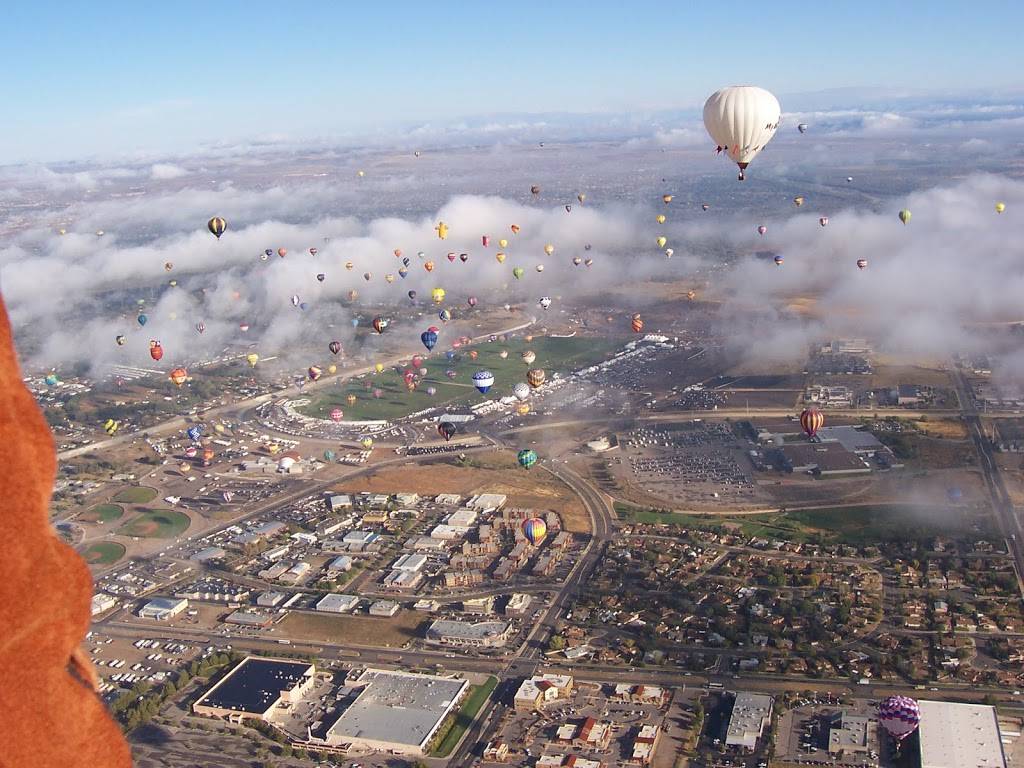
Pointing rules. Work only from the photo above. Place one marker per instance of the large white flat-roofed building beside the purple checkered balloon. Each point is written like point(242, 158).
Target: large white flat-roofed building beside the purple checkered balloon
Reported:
point(960, 736)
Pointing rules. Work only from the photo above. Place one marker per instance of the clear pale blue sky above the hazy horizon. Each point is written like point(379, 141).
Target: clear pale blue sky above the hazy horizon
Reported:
point(119, 78)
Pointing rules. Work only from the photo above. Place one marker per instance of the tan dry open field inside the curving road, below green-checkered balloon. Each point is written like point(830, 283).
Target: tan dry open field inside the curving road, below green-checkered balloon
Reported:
point(494, 474)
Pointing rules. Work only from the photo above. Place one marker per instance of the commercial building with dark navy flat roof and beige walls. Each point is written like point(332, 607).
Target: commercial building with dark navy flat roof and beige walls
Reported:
point(258, 689)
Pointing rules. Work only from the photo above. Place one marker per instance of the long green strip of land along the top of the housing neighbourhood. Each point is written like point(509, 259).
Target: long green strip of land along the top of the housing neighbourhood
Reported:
point(865, 525)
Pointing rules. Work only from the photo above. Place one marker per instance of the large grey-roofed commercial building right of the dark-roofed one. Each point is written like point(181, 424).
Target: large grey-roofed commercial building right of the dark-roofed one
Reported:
point(396, 711)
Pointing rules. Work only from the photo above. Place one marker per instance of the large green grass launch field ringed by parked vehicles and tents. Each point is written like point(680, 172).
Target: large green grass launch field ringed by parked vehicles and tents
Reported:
point(554, 356)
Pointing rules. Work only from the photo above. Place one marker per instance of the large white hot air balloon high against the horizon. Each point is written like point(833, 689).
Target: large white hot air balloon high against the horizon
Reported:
point(742, 119)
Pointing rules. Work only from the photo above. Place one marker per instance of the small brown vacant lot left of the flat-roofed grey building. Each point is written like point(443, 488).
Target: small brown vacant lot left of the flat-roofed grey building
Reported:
point(361, 630)
